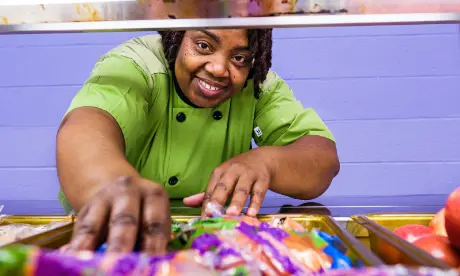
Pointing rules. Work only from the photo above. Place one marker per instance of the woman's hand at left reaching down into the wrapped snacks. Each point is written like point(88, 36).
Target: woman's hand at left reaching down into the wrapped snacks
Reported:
point(122, 212)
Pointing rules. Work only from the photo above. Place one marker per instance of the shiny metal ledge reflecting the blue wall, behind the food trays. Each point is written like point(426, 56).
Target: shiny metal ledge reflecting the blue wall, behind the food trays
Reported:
point(334, 206)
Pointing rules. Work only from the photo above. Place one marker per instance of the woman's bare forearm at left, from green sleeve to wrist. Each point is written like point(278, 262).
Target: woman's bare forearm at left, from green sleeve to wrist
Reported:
point(89, 153)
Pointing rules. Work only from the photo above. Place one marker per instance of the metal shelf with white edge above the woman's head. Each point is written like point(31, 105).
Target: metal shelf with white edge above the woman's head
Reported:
point(51, 16)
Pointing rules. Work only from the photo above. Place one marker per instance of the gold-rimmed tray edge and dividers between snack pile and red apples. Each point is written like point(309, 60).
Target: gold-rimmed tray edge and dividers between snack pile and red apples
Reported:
point(375, 231)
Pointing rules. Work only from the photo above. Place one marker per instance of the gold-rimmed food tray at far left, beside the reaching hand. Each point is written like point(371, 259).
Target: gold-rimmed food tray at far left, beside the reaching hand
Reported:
point(44, 237)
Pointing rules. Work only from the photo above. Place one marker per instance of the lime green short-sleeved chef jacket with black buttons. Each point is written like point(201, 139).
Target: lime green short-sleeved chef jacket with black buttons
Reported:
point(178, 145)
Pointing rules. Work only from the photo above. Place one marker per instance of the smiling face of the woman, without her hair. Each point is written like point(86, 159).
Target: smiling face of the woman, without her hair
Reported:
point(213, 65)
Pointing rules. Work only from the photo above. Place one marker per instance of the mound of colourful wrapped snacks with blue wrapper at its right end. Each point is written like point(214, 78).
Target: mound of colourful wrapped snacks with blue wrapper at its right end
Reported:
point(234, 241)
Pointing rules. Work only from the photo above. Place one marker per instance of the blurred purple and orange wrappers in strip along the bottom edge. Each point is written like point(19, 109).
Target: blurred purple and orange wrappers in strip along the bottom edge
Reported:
point(31, 261)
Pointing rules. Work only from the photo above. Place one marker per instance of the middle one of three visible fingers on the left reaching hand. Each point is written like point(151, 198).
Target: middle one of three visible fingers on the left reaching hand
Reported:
point(124, 218)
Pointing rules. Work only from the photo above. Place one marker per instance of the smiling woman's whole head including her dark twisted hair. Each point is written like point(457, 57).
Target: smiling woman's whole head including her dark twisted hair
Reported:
point(245, 48)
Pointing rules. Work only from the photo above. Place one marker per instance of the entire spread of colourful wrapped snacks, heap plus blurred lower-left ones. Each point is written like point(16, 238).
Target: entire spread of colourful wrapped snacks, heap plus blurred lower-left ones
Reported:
point(212, 246)
